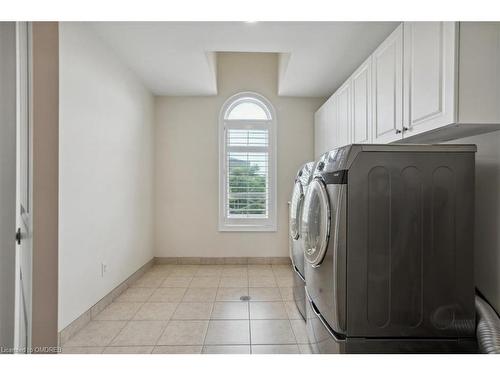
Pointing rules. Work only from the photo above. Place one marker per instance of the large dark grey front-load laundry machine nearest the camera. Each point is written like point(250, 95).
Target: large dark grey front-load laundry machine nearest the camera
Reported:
point(388, 241)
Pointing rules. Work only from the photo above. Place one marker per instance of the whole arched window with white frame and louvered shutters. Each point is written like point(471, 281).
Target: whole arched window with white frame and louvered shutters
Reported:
point(247, 162)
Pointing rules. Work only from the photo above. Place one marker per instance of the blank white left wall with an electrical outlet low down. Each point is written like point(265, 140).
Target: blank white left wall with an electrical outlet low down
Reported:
point(105, 171)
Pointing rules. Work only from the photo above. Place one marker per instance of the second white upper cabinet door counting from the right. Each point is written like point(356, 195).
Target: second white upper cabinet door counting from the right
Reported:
point(387, 89)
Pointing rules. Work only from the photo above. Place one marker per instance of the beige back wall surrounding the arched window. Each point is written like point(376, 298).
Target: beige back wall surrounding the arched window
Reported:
point(186, 162)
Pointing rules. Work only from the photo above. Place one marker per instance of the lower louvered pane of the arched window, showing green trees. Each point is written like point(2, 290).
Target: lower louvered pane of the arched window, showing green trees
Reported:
point(247, 184)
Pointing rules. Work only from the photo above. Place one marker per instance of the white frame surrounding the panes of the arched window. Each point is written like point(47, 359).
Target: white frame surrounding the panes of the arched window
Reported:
point(268, 224)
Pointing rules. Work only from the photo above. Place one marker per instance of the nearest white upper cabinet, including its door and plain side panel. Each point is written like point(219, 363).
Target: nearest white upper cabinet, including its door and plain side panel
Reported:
point(452, 80)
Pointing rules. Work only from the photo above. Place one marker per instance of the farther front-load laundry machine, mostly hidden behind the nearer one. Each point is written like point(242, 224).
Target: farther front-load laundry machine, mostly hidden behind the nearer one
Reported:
point(296, 251)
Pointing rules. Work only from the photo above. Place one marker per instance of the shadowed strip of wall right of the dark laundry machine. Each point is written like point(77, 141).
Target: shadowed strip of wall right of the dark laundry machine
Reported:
point(487, 225)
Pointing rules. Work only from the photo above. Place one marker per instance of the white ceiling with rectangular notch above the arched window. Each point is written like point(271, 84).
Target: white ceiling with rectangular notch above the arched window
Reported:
point(179, 58)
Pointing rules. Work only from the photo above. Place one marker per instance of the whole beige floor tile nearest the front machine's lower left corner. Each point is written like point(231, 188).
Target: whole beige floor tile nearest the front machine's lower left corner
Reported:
point(271, 332)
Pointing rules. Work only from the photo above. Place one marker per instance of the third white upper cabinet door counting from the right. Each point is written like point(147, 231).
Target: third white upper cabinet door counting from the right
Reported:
point(361, 103)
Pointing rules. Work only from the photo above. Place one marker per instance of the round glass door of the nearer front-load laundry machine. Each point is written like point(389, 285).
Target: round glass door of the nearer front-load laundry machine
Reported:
point(316, 222)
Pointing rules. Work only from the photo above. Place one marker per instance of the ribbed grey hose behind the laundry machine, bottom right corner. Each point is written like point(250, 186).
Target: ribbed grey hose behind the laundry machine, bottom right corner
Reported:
point(488, 328)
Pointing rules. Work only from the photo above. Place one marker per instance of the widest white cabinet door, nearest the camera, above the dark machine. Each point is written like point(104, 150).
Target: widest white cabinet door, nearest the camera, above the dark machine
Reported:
point(430, 56)
